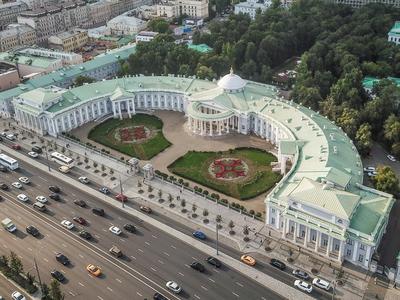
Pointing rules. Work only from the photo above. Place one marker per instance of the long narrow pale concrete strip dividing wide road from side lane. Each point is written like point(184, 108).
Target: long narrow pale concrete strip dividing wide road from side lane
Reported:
point(262, 278)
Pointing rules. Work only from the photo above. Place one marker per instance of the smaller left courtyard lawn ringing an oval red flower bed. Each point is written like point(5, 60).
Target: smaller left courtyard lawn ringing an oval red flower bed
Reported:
point(104, 134)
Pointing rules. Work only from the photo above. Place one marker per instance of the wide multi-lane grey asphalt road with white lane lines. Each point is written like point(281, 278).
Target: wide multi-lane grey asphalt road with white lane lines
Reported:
point(151, 257)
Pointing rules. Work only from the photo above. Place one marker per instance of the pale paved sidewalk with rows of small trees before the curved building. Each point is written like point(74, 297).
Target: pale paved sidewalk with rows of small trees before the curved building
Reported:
point(259, 236)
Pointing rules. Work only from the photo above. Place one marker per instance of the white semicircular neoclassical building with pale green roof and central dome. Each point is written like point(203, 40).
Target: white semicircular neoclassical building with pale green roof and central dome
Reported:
point(320, 204)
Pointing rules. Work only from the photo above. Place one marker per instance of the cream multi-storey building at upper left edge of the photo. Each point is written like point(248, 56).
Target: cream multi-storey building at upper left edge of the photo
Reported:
point(16, 35)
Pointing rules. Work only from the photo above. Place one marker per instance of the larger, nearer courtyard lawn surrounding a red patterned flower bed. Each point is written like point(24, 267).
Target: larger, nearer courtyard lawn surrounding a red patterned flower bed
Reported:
point(260, 178)
